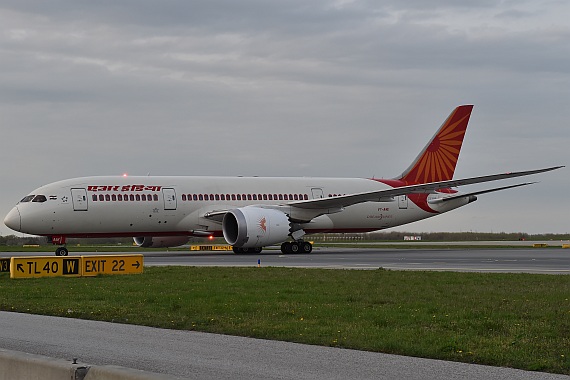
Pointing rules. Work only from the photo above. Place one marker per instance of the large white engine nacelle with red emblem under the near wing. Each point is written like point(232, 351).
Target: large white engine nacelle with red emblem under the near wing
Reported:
point(251, 227)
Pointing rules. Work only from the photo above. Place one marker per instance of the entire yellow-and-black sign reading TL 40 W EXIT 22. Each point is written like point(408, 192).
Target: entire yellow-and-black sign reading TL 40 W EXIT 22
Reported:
point(47, 266)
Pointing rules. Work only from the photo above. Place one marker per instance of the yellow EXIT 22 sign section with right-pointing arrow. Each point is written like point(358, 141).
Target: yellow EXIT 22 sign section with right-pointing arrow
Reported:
point(107, 264)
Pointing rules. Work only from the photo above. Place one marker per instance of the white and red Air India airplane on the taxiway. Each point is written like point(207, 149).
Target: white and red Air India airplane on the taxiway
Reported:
point(253, 212)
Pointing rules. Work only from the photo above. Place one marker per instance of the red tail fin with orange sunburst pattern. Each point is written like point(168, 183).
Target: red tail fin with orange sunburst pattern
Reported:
point(436, 162)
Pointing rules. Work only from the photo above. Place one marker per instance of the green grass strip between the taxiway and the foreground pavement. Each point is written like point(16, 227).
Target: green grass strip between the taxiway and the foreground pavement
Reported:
point(513, 320)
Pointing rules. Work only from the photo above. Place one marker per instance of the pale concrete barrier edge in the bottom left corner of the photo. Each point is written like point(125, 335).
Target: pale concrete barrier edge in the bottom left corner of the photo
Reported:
point(21, 365)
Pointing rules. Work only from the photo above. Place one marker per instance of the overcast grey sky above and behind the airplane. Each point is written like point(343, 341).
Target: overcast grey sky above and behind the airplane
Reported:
point(289, 88)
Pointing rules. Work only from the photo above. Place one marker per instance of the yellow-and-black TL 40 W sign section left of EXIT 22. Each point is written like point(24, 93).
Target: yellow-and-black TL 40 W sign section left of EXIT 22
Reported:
point(44, 266)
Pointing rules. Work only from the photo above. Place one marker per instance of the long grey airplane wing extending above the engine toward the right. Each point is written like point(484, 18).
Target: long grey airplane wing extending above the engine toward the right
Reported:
point(388, 194)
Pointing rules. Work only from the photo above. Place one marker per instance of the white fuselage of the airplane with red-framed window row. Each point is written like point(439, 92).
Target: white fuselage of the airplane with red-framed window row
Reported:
point(176, 206)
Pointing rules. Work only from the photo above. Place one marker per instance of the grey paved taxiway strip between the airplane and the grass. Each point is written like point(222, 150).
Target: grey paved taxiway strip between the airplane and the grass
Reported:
point(517, 260)
